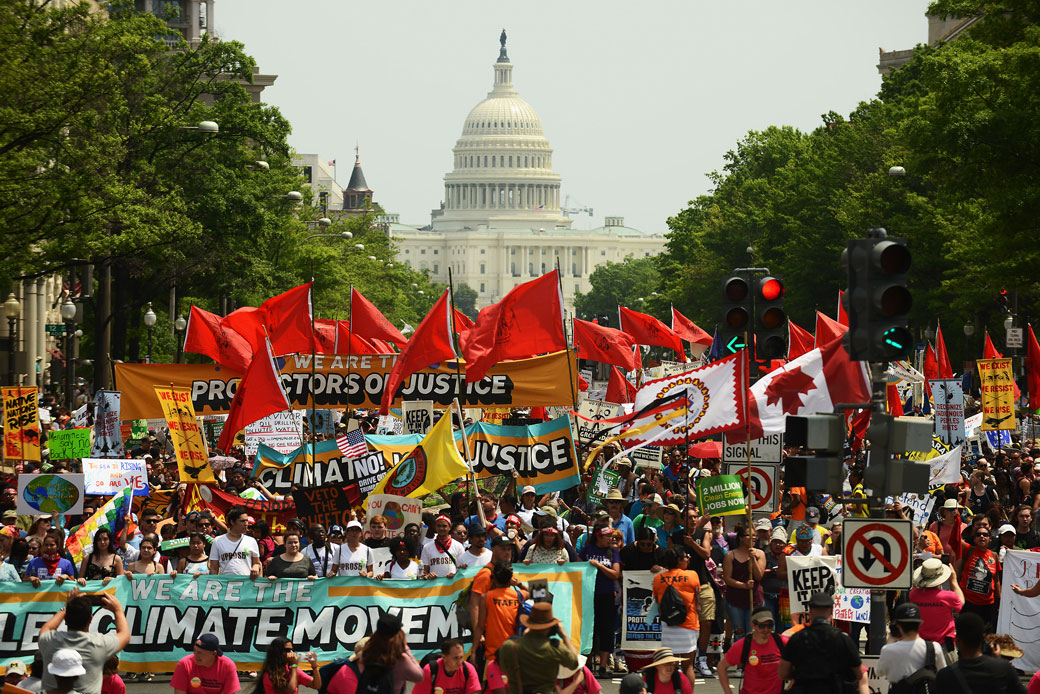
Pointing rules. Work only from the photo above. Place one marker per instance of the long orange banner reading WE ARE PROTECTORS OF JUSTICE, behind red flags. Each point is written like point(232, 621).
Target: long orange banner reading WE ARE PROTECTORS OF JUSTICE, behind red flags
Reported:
point(532, 382)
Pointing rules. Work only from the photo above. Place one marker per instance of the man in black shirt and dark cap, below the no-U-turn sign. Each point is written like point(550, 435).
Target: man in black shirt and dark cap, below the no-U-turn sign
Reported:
point(820, 656)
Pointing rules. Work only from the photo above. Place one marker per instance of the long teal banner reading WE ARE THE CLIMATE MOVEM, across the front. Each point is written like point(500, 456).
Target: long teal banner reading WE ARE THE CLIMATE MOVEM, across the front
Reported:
point(327, 616)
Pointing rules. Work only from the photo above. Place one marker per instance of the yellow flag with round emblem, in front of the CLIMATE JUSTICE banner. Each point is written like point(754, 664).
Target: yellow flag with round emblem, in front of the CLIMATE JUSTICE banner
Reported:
point(431, 466)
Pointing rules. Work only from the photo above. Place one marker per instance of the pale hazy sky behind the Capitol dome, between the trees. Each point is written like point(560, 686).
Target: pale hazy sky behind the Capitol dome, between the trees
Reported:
point(640, 101)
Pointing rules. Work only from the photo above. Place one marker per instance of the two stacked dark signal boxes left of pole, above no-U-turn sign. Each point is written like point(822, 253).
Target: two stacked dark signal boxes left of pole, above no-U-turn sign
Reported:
point(822, 470)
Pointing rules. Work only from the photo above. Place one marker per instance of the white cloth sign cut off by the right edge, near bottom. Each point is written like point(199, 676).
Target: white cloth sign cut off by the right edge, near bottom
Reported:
point(1018, 615)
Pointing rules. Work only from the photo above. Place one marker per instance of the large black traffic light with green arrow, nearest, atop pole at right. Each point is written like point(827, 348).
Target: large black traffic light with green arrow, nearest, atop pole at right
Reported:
point(877, 300)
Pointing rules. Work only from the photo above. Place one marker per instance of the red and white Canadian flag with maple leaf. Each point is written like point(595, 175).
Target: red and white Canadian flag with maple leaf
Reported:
point(808, 385)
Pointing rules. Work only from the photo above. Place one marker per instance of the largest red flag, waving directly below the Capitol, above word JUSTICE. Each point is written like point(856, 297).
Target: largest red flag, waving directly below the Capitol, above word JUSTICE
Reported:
point(527, 322)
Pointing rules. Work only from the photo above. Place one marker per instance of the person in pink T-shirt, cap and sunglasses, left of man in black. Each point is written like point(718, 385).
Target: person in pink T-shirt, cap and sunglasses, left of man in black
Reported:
point(757, 656)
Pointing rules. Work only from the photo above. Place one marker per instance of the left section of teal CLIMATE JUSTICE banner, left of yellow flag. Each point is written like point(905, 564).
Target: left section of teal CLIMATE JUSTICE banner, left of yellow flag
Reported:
point(280, 472)
